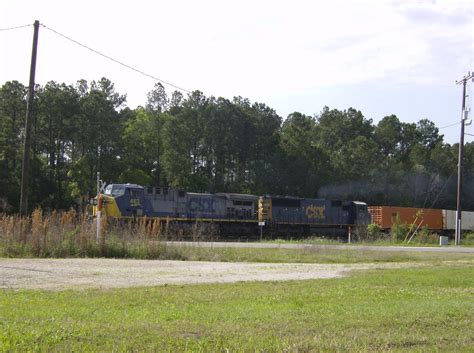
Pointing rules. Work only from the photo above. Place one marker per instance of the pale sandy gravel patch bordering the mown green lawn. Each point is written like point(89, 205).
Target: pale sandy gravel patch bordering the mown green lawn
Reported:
point(56, 274)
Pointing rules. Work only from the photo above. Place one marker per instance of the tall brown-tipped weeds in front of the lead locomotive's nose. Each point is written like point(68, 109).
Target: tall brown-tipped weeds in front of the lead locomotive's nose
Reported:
point(69, 234)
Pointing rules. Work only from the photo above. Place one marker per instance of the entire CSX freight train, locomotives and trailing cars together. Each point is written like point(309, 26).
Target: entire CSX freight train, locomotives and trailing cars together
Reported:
point(240, 215)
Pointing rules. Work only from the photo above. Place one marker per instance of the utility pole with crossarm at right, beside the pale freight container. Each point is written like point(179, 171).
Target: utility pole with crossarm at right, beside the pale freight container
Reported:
point(457, 238)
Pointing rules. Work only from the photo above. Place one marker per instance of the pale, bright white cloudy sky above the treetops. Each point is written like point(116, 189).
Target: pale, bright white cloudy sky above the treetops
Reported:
point(382, 57)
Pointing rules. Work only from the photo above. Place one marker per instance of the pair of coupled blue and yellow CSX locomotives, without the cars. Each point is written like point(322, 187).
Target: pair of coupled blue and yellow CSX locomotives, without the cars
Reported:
point(235, 213)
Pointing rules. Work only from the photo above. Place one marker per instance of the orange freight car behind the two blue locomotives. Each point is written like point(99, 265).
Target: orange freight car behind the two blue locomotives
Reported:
point(384, 216)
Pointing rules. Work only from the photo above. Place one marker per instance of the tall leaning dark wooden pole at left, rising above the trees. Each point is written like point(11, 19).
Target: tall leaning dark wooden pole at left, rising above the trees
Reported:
point(27, 146)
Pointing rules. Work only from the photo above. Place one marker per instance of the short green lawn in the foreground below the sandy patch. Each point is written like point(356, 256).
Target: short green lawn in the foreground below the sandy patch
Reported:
point(418, 309)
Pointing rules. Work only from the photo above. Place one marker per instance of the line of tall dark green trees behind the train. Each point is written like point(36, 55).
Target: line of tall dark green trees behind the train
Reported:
point(212, 144)
